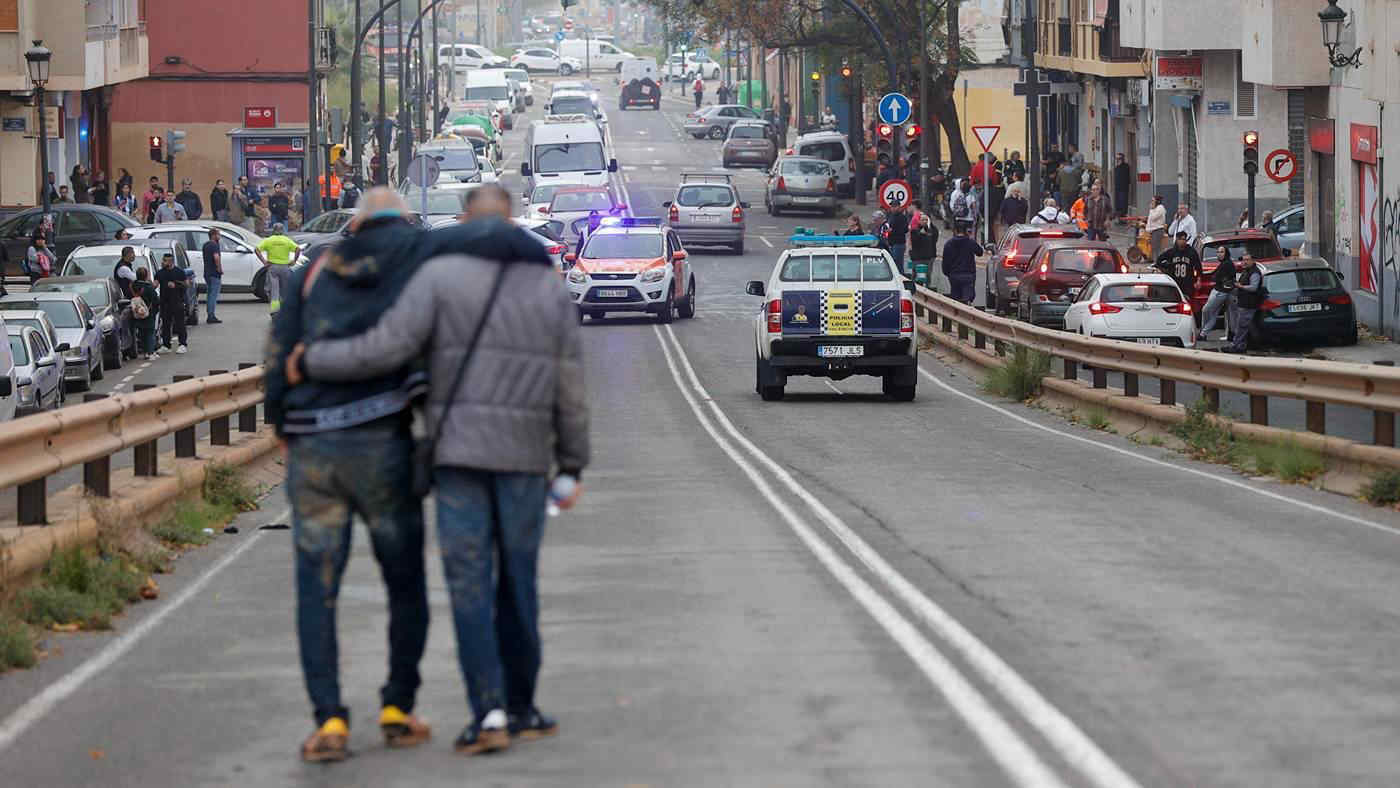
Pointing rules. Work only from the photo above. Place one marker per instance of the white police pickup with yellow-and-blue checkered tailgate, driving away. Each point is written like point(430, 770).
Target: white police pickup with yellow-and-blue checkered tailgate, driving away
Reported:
point(835, 307)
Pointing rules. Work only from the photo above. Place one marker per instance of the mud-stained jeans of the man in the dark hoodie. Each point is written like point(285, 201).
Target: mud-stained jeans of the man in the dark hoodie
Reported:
point(331, 477)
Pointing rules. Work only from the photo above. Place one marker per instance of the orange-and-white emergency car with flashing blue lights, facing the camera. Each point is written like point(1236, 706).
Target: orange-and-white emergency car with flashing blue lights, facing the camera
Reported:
point(631, 265)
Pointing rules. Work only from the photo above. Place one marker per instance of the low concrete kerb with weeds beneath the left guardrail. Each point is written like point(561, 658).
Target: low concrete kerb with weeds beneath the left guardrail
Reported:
point(26, 551)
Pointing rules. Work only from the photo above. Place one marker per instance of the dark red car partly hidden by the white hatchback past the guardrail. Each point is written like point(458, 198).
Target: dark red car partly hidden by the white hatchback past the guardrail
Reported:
point(1056, 274)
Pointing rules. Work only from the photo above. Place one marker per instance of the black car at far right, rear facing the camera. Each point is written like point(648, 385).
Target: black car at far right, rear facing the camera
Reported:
point(1307, 302)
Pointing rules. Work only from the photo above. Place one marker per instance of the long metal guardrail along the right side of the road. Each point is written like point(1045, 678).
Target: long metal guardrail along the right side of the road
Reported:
point(1315, 383)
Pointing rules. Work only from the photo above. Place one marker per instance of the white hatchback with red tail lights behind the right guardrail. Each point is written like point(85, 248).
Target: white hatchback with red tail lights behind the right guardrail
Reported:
point(1147, 309)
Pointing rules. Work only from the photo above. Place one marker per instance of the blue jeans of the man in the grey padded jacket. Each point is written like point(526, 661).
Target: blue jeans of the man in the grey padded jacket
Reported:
point(489, 530)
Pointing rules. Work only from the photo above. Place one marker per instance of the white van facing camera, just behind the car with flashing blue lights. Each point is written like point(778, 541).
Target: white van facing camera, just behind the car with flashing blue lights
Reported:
point(566, 149)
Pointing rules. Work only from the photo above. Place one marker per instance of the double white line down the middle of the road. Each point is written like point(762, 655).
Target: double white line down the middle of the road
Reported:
point(1021, 762)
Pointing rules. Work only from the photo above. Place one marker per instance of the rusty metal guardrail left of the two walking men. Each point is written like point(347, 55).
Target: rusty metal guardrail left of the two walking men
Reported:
point(37, 447)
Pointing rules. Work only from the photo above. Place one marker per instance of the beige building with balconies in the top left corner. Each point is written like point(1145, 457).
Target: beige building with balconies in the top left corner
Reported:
point(97, 45)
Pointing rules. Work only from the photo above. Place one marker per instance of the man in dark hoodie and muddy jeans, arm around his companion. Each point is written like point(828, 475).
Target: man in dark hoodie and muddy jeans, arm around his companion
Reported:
point(351, 451)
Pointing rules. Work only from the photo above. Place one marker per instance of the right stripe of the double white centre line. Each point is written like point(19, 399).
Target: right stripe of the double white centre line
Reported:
point(1059, 730)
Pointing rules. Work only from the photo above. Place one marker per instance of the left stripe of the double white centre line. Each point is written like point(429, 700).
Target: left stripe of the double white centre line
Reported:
point(1007, 748)
